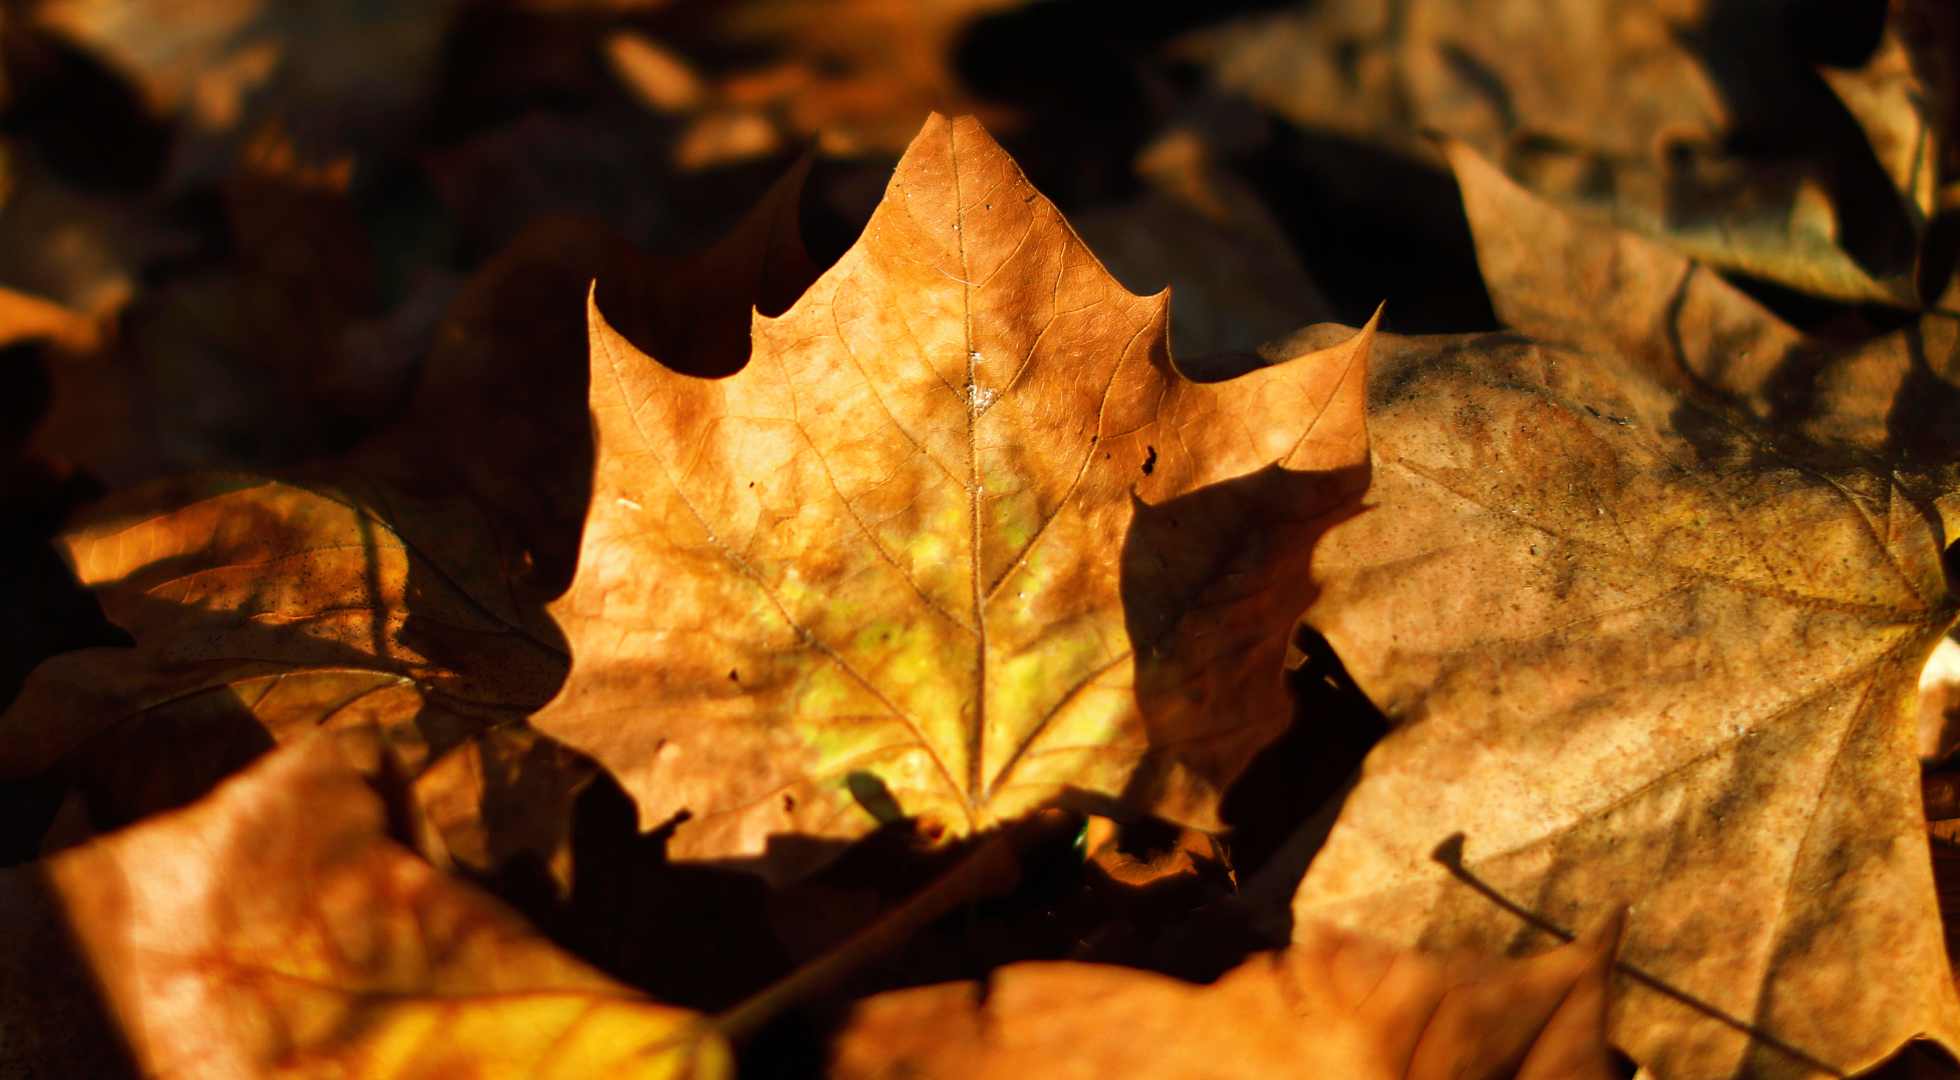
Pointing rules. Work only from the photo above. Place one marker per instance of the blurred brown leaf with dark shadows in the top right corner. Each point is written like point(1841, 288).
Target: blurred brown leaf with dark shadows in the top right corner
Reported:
point(1700, 124)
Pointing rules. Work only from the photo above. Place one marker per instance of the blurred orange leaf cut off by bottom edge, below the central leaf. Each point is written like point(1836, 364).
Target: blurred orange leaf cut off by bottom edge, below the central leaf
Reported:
point(1332, 1005)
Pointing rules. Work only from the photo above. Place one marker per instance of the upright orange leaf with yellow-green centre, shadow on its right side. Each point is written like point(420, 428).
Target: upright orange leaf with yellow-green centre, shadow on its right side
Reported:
point(957, 542)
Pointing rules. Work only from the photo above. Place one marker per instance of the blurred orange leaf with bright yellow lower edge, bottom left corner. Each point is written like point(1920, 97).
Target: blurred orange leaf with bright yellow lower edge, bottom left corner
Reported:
point(273, 928)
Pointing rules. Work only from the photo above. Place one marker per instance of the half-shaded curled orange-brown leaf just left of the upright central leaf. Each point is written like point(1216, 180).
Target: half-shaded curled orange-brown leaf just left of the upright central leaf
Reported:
point(266, 611)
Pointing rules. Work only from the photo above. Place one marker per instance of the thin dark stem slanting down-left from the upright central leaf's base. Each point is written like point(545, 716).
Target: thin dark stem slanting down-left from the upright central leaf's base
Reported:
point(993, 869)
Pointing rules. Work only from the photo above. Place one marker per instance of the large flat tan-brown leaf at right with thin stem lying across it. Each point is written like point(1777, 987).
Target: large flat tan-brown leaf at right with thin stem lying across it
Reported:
point(1641, 652)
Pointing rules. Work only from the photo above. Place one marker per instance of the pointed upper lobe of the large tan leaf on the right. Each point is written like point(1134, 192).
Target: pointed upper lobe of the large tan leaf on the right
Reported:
point(1881, 401)
